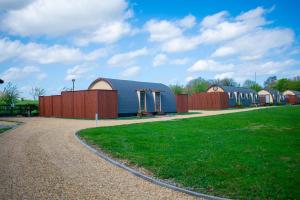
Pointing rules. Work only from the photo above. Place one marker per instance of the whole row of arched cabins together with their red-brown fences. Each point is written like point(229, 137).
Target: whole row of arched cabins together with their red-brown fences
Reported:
point(111, 98)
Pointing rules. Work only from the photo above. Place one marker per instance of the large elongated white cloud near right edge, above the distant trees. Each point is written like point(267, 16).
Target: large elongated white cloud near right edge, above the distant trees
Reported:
point(256, 44)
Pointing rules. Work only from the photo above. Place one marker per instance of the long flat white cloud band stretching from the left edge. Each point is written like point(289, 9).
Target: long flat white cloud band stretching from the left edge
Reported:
point(43, 54)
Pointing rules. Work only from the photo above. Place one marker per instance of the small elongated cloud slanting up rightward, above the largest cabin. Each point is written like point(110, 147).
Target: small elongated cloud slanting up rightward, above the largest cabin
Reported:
point(124, 59)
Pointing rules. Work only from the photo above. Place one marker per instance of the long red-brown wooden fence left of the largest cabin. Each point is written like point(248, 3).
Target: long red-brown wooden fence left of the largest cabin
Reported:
point(80, 104)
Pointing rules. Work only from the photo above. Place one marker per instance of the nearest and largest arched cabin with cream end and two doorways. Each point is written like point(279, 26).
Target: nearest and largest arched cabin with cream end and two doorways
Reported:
point(135, 97)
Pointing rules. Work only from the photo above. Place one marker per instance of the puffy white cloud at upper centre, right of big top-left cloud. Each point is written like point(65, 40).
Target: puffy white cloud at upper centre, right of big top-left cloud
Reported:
point(162, 30)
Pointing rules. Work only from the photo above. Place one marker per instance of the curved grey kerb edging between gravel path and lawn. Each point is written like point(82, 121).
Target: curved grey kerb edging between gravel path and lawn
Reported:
point(143, 176)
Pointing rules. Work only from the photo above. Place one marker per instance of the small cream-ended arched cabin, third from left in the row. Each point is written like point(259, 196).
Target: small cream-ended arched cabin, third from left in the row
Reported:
point(271, 97)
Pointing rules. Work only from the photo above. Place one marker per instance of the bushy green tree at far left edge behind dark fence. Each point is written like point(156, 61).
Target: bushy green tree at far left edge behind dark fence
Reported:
point(10, 94)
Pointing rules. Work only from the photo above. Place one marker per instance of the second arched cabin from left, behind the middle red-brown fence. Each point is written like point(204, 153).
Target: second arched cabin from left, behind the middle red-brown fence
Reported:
point(238, 96)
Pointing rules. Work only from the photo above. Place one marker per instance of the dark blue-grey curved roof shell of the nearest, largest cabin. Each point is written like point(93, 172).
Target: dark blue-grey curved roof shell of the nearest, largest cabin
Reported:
point(128, 100)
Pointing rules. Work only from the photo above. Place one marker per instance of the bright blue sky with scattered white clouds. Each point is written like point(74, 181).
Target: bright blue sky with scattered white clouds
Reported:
point(47, 43)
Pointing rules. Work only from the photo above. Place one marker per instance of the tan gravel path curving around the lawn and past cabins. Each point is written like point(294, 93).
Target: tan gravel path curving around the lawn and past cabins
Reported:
point(41, 159)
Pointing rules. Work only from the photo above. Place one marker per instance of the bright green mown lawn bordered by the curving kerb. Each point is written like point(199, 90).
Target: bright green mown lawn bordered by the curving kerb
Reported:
point(248, 155)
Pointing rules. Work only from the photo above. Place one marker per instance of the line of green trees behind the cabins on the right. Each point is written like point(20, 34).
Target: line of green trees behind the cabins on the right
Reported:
point(200, 84)
